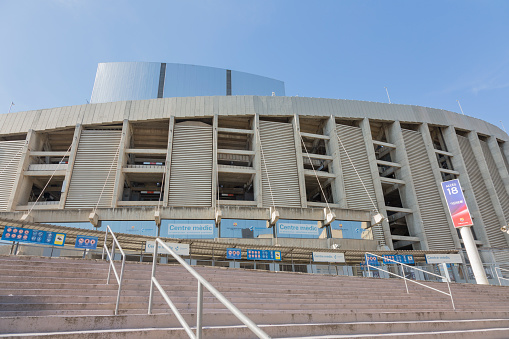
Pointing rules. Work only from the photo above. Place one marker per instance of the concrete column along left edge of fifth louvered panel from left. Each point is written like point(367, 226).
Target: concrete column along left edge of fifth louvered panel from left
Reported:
point(338, 188)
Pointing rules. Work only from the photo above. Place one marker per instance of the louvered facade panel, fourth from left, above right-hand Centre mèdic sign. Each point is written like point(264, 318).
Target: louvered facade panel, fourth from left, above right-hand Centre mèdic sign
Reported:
point(279, 160)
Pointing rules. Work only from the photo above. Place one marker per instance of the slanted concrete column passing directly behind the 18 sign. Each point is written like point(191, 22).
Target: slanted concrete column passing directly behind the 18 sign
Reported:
point(451, 140)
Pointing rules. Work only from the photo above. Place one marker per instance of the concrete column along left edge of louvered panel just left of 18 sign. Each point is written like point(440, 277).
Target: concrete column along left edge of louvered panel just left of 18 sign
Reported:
point(407, 191)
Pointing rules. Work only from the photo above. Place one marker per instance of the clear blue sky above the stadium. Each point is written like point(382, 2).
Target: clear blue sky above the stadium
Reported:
point(428, 53)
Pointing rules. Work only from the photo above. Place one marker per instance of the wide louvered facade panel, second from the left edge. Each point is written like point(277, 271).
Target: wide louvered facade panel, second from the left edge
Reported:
point(94, 169)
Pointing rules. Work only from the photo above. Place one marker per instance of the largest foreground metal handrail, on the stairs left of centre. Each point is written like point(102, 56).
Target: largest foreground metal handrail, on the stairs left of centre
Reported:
point(201, 283)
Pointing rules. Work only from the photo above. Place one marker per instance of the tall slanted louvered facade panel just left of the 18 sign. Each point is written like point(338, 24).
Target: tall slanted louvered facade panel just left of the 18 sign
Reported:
point(433, 214)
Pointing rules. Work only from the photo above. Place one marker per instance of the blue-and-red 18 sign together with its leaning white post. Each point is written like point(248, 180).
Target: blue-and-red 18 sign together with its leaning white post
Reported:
point(461, 219)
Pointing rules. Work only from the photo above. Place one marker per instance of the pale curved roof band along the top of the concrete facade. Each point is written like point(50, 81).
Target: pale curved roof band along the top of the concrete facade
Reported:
point(112, 112)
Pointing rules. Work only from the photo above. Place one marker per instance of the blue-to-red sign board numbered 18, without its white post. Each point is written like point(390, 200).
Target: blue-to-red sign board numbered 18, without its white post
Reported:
point(456, 202)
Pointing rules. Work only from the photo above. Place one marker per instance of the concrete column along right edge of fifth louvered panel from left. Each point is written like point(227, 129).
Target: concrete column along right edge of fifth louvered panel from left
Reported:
point(368, 141)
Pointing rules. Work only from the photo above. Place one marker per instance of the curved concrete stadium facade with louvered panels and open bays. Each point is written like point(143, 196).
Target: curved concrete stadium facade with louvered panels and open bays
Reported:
point(178, 161)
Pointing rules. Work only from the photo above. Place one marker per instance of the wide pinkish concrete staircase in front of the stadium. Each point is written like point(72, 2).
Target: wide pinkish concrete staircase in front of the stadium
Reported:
point(68, 298)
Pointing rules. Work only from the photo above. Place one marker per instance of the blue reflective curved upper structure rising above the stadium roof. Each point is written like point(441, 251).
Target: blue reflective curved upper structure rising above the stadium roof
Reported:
point(117, 81)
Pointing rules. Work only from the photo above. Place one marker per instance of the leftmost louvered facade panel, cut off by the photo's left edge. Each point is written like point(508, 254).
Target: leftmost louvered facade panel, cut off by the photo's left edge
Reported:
point(10, 155)
